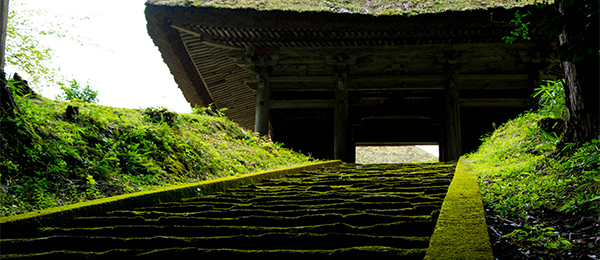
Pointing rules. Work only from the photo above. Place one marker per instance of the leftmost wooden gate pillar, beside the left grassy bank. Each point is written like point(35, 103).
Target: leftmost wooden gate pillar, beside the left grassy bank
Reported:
point(261, 122)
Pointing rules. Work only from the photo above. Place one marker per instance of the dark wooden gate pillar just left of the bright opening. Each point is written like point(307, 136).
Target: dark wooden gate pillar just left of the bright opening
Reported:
point(341, 140)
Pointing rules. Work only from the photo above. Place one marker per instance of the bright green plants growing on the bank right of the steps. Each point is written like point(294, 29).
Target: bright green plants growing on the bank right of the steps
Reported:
point(523, 168)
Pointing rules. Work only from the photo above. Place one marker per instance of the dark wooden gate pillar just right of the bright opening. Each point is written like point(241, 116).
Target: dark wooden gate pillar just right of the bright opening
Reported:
point(451, 133)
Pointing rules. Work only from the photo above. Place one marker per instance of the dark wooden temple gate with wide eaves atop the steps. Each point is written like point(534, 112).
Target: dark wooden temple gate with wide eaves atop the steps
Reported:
point(324, 83)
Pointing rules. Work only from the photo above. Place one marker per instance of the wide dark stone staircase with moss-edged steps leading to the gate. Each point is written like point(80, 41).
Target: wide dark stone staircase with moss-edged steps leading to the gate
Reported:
point(379, 211)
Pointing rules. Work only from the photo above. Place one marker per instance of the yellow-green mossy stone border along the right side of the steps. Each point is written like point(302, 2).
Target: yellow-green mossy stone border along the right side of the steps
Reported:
point(461, 231)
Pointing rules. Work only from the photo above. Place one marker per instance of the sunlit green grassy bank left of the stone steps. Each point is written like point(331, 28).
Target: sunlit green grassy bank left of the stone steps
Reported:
point(50, 159)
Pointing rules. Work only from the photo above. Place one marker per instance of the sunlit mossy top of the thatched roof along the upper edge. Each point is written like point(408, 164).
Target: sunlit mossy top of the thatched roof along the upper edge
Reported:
point(381, 7)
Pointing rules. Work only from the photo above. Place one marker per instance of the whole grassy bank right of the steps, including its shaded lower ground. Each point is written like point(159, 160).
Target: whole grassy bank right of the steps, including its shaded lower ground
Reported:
point(542, 195)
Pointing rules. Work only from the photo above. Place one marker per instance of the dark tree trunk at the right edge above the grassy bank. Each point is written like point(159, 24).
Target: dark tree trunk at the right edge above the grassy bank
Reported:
point(582, 96)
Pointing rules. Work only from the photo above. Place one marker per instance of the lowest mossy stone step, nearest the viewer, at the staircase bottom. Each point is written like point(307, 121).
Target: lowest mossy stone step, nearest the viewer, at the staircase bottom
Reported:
point(266, 241)
